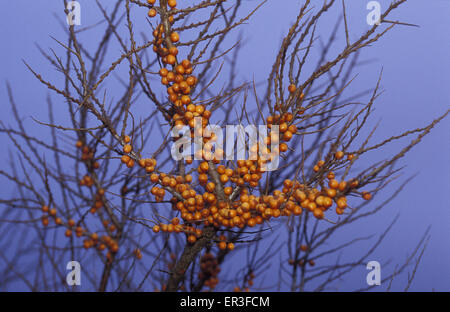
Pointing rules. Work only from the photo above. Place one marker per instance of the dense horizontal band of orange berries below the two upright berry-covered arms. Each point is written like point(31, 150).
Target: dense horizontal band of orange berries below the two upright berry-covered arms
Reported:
point(248, 210)
